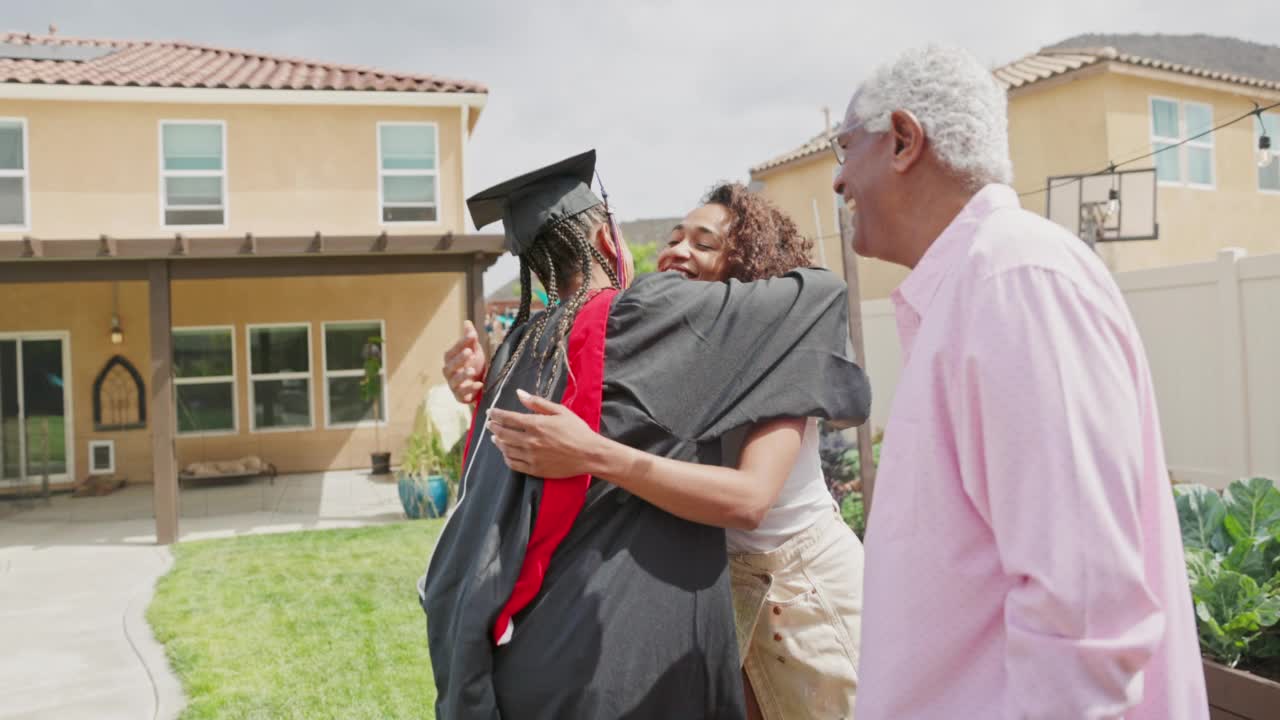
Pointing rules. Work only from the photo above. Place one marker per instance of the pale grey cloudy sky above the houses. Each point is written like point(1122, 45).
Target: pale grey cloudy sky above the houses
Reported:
point(675, 95)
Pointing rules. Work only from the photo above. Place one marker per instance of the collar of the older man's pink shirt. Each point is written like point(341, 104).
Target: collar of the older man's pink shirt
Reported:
point(917, 291)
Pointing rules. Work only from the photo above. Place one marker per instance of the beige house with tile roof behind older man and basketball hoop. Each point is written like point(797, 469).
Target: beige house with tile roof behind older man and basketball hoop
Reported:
point(1091, 101)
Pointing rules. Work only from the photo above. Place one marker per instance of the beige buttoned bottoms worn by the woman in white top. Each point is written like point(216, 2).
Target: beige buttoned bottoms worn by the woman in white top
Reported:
point(798, 612)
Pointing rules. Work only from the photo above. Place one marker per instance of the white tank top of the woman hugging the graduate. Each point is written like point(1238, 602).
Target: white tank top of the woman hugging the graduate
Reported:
point(801, 503)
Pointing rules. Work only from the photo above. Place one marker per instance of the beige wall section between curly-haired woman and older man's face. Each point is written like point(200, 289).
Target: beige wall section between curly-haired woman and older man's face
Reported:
point(794, 188)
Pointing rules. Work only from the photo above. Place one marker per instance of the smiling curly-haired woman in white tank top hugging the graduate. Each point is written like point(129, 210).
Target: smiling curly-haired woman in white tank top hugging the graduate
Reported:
point(796, 567)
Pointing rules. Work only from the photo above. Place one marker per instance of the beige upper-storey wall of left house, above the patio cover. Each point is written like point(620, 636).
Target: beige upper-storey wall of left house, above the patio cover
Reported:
point(95, 168)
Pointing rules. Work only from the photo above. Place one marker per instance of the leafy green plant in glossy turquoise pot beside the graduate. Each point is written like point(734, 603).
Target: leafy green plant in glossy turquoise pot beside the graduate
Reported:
point(429, 475)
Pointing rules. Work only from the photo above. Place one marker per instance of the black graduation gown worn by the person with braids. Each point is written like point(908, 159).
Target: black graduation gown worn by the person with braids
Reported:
point(634, 617)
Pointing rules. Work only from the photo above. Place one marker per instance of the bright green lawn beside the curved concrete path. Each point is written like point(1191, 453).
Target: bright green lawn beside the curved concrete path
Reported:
point(307, 626)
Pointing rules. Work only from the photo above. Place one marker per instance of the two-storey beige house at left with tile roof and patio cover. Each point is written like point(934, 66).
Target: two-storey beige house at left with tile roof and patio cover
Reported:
point(196, 244)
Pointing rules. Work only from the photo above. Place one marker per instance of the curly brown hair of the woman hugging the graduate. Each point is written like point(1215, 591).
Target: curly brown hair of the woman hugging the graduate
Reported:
point(764, 241)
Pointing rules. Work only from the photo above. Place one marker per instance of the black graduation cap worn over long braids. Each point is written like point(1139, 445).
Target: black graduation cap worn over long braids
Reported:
point(536, 200)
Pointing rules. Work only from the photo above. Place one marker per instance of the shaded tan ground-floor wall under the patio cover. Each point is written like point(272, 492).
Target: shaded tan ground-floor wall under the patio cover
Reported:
point(423, 313)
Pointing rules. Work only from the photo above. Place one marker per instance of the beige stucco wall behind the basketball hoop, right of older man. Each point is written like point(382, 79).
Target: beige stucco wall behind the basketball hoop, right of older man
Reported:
point(1078, 127)
